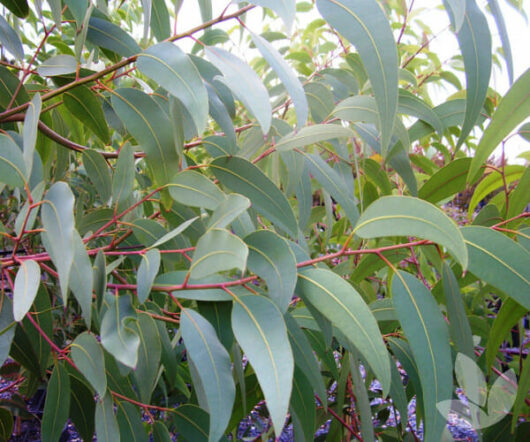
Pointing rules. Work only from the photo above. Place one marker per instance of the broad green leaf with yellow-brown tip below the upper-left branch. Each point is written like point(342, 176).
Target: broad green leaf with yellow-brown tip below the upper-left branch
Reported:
point(150, 126)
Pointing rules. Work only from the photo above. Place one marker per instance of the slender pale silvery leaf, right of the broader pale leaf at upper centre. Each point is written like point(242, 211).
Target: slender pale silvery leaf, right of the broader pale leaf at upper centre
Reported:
point(286, 75)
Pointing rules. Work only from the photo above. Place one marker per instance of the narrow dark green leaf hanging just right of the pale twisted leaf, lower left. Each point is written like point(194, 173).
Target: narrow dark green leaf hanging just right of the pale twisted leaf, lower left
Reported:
point(149, 354)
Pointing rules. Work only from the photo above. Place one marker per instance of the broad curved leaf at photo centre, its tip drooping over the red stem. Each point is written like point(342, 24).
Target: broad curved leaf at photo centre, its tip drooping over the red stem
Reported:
point(271, 258)
